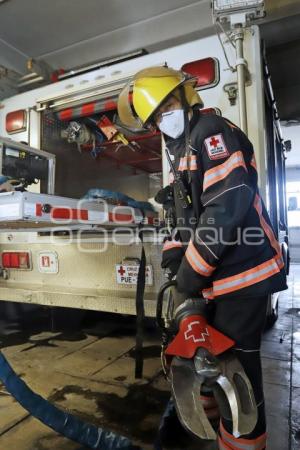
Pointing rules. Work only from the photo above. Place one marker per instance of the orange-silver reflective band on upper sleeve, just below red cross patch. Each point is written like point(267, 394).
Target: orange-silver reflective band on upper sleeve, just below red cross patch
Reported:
point(220, 172)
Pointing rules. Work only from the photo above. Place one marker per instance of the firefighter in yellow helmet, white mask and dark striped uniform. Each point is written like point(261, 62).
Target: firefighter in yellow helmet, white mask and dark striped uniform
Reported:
point(224, 248)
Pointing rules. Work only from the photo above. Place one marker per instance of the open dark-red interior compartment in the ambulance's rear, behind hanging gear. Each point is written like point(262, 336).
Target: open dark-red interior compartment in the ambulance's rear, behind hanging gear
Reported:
point(86, 159)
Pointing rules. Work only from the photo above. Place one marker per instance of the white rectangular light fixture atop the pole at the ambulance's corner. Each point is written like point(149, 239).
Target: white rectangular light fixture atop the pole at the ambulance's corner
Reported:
point(237, 11)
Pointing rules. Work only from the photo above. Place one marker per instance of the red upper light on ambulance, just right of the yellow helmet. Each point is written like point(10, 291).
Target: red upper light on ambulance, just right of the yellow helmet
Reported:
point(206, 71)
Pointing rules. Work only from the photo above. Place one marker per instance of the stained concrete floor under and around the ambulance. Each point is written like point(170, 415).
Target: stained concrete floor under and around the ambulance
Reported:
point(91, 373)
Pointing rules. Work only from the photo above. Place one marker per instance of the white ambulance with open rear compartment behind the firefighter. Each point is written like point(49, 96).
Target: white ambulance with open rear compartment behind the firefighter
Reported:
point(63, 242)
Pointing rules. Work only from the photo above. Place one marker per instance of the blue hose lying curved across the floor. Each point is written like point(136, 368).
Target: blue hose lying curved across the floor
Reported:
point(60, 421)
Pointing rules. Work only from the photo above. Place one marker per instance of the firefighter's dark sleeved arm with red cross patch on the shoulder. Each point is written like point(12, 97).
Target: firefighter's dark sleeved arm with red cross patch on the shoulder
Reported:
point(226, 199)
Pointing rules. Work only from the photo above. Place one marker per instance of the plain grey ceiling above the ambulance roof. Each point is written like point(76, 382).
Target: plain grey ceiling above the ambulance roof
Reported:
point(68, 33)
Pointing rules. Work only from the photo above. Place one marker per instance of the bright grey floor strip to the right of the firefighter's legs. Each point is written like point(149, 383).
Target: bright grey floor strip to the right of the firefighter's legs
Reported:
point(281, 365)
